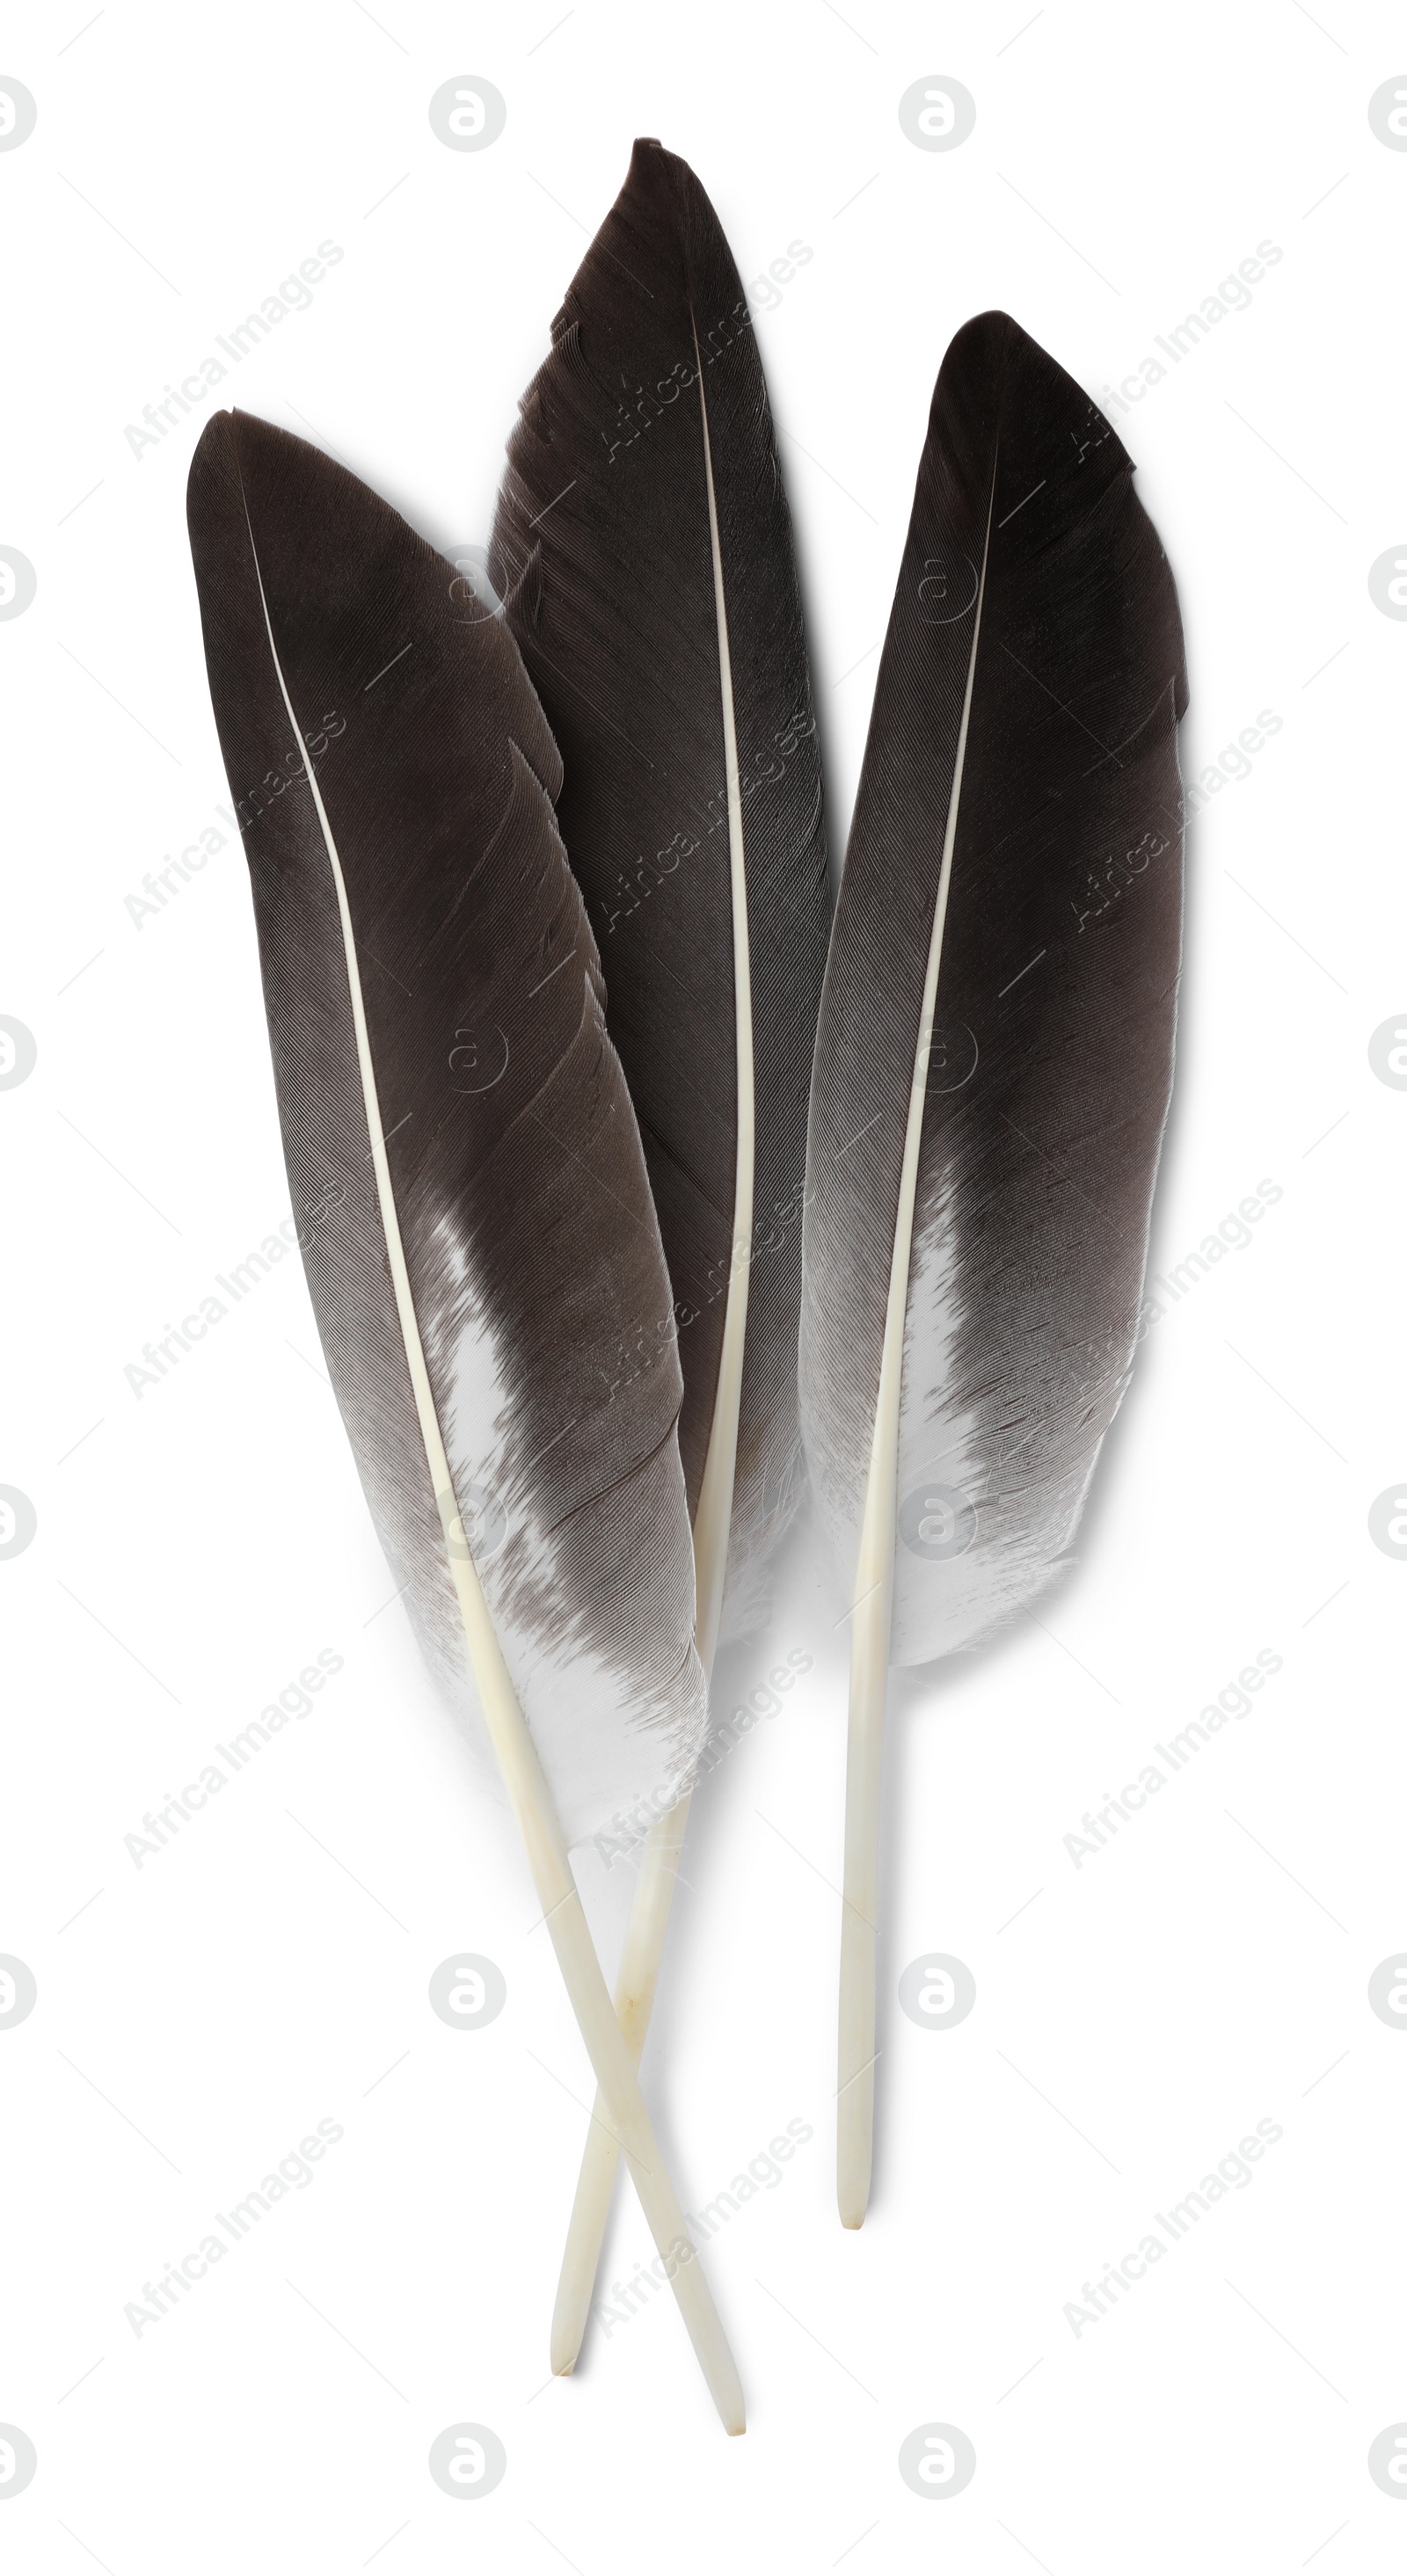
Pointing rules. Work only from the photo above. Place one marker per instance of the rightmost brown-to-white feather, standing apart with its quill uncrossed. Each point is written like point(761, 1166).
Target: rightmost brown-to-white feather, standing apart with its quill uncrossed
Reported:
point(993, 1055)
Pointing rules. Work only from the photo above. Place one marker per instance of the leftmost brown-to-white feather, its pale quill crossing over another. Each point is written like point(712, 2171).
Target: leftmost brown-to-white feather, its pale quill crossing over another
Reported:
point(488, 1258)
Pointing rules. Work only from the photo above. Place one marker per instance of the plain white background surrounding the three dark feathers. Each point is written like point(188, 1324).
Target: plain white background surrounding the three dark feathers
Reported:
point(197, 1547)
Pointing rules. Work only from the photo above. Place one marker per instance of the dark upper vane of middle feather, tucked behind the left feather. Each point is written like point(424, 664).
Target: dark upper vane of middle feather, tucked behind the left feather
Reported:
point(643, 545)
